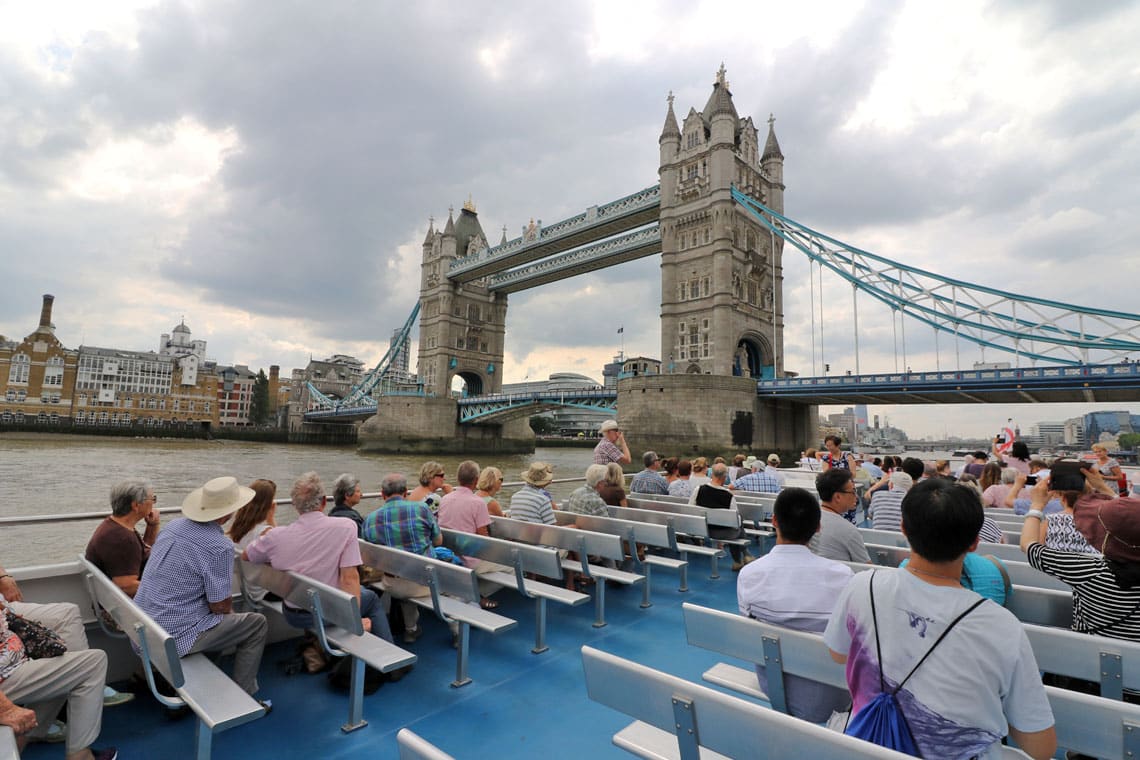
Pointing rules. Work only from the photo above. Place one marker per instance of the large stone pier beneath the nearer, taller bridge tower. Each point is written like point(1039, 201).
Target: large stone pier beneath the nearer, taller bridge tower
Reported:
point(711, 415)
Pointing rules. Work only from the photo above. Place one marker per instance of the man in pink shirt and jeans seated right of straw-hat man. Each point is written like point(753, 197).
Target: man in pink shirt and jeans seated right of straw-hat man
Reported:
point(323, 549)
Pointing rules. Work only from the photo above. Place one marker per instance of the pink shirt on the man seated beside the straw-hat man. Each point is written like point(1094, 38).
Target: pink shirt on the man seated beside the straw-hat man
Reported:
point(316, 546)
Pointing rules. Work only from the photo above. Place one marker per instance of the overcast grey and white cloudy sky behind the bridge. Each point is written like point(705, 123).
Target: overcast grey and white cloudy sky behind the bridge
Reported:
point(267, 170)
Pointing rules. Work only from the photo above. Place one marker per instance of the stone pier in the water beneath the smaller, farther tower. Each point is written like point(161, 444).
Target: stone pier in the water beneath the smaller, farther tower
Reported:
point(429, 427)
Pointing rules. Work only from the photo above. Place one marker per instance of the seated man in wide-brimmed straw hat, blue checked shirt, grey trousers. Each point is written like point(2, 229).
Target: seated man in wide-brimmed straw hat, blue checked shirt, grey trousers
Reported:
point(188, 584)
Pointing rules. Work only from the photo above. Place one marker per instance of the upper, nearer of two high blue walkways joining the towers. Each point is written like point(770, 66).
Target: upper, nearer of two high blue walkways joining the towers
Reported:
point(597, 223)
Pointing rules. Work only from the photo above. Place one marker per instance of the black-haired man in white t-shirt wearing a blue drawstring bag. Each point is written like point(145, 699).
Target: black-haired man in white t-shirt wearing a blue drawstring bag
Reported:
point(887, 620)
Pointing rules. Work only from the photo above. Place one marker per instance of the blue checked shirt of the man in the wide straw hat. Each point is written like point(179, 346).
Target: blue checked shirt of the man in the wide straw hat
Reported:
point(191, 567)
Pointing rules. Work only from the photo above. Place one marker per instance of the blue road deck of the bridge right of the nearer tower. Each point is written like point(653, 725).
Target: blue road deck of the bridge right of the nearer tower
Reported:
point(1085, 385)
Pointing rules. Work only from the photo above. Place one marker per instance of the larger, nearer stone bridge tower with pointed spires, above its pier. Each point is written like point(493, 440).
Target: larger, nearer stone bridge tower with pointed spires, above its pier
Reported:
point(722, 306)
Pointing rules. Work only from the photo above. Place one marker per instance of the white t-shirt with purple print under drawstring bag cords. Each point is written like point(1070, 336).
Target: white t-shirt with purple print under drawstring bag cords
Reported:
point(957, 705)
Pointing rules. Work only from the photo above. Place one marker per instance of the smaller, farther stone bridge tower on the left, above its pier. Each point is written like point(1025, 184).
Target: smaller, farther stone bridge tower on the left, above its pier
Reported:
point(462, 326)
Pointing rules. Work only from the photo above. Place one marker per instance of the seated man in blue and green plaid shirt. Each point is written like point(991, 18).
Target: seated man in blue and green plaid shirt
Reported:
point(410, 526)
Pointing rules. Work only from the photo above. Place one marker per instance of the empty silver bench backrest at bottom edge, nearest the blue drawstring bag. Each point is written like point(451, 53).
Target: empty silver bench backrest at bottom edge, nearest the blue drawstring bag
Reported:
point(702, 717)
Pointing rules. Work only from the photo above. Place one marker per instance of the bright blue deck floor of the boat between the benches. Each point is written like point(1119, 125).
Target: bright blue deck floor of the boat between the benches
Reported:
point(518, 706)
